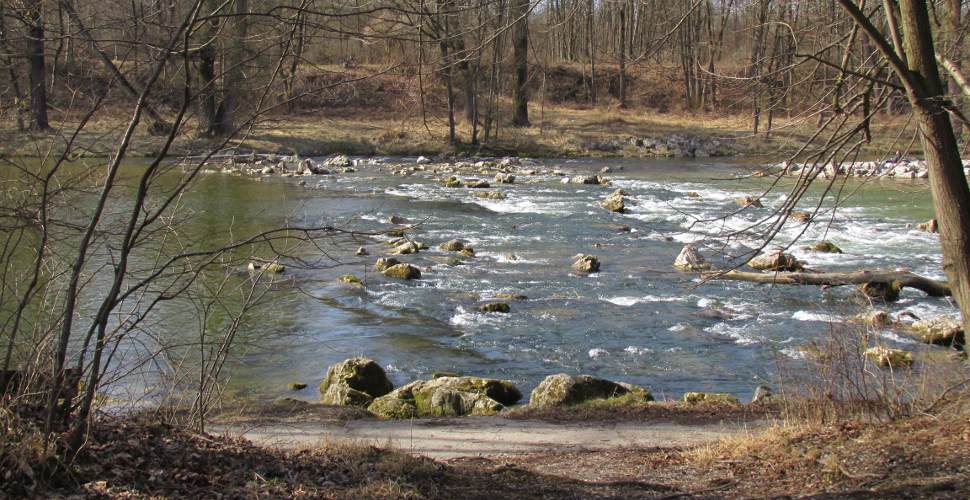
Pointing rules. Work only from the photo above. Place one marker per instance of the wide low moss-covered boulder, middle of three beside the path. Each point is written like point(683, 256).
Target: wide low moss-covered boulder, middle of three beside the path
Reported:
point(447, 397)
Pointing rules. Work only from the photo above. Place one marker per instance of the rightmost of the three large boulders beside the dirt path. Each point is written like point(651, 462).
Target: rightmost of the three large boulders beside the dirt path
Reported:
point(564, 390)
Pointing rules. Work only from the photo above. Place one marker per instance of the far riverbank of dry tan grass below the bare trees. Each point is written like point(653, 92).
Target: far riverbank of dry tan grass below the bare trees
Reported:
point(556, 131)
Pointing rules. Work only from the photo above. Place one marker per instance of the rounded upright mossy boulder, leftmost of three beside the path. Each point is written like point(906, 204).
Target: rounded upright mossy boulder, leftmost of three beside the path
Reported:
point(354, 382)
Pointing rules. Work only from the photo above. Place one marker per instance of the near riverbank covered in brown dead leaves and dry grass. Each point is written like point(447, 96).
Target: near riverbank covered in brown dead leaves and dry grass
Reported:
point(921, 456)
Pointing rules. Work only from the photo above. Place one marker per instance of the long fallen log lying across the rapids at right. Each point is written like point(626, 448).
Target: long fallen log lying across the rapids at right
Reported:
point(931, 287)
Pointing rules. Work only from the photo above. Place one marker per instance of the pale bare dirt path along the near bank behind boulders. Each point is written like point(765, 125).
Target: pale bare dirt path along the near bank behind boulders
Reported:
point(484, 436)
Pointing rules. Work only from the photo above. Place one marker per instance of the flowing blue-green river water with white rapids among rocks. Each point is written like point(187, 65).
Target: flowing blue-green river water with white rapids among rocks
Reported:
point(637, 320)
